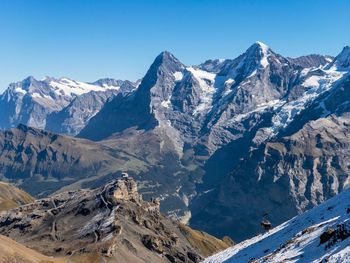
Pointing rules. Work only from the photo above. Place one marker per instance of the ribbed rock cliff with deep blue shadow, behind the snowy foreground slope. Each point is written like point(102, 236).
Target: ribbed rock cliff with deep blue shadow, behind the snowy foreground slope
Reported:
point(312, 164)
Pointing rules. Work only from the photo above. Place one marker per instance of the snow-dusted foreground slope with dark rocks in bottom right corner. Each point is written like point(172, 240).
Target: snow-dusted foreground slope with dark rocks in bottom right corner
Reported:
point(321, 234)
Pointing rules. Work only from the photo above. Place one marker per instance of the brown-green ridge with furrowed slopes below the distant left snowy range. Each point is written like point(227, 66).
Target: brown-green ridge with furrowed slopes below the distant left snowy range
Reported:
point(42, 162)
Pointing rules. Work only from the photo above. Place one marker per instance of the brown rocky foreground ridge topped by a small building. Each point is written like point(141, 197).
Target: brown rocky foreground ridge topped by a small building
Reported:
point(106, 222)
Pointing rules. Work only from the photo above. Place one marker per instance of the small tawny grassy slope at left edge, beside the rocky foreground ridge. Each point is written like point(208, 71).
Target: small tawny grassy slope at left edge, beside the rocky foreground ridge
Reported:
point(11, 197)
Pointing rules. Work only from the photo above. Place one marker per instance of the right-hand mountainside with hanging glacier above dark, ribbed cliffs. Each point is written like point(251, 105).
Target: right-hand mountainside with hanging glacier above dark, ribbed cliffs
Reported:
point(296, 158)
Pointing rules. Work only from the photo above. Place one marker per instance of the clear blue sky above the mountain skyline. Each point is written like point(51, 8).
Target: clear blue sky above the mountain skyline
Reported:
point(87, 40)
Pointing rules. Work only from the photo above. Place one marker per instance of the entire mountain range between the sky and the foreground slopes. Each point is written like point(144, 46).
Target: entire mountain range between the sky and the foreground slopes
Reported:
point(221, 143)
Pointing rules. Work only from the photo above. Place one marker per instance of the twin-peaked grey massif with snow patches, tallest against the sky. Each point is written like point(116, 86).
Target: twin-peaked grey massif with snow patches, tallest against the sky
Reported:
point(214, 97)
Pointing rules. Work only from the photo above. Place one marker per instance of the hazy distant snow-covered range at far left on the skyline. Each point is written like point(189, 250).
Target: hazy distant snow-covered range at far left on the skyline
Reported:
point(31, 101)
